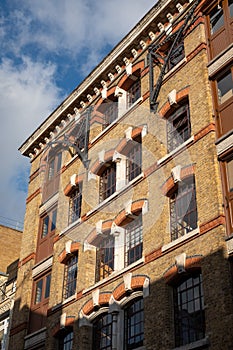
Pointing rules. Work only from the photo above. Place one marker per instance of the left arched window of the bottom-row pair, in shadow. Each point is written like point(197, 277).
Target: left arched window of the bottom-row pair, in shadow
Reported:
point(102, 333)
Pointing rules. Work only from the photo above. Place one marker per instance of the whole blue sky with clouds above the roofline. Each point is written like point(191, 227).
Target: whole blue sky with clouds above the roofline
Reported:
point(47, 47)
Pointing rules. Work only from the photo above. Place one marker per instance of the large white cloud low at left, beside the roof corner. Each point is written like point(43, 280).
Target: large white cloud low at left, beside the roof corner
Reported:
point(27, 96)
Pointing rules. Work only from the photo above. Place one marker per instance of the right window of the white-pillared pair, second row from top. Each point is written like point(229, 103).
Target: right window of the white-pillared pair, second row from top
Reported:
point(134, 160)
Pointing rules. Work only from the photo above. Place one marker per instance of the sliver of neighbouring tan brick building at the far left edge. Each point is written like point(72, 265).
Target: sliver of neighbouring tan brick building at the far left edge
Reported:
point(10, 243)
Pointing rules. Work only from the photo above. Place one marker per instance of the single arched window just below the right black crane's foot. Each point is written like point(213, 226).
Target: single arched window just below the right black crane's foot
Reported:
point(178, 126)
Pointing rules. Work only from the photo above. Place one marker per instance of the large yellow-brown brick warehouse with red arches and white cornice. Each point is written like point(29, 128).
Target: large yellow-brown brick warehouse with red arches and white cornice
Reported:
point(127, 235)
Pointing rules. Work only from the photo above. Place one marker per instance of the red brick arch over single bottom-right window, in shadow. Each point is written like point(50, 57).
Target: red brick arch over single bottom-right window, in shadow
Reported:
point(191, 263)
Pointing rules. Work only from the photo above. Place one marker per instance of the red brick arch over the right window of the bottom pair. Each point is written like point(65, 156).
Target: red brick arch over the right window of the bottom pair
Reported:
point(137, 282)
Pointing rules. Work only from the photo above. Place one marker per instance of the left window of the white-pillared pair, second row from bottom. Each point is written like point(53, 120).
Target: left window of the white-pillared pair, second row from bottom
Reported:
point(105, 257)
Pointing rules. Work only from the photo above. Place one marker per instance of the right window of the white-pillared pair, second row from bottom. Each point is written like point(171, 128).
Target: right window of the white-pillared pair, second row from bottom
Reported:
point(133, 241)
